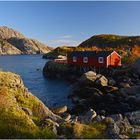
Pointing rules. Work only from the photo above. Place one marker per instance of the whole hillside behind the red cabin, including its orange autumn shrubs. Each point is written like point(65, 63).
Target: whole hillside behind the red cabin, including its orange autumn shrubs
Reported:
point(127, 46)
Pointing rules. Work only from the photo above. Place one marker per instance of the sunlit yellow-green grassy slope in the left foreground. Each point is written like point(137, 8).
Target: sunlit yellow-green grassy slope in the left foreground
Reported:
point(14, 122)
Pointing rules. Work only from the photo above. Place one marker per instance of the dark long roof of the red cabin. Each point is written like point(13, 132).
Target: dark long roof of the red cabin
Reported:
point(90, 53)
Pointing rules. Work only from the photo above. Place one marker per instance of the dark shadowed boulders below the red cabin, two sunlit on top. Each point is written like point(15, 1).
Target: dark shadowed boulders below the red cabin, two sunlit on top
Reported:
point(106, 94)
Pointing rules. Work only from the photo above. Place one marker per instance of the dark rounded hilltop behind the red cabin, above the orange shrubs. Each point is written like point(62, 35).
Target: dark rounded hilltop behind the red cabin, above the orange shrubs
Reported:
point(110, 40)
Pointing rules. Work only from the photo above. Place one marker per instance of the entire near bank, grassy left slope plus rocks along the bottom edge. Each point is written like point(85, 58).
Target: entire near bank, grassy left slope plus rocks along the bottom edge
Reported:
point(25, 116)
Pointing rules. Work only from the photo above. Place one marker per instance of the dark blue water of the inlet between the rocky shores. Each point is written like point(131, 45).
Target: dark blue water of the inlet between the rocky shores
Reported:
point(29, 67)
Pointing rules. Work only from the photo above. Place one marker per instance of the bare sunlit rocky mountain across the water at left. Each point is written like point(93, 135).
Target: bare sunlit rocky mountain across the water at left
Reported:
point(13, 42)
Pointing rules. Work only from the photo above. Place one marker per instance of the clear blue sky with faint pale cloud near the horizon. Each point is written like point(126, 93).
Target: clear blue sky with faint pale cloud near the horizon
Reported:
point(70, 23)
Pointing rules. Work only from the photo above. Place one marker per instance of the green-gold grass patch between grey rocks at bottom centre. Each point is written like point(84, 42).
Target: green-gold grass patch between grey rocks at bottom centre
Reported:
point(82, 131)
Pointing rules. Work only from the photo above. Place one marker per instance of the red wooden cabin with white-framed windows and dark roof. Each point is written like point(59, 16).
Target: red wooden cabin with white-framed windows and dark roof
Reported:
point(103, 59)
